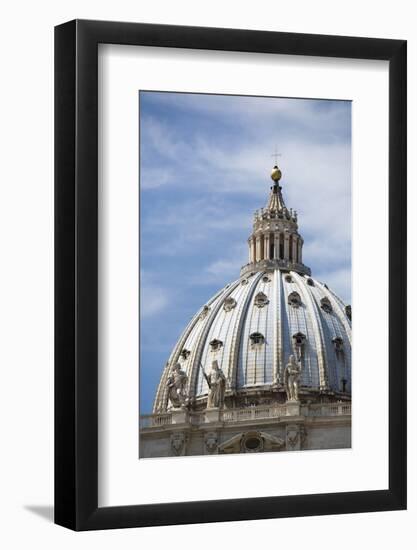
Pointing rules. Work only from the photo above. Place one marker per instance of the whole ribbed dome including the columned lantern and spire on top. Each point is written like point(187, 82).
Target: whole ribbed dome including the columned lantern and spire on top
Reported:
point(253, 325)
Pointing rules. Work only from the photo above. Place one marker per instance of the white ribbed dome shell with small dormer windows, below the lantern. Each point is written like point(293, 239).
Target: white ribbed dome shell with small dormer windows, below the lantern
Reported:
point(254, 324)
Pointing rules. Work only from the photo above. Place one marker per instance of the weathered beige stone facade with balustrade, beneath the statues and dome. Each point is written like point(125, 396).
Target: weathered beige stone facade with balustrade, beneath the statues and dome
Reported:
point(254, 429)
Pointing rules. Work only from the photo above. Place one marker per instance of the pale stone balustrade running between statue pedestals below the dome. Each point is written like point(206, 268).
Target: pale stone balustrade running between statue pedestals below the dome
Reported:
point(249, 414)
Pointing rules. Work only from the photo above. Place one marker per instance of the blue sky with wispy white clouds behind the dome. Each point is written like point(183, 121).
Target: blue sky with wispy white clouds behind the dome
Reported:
point(204, 168)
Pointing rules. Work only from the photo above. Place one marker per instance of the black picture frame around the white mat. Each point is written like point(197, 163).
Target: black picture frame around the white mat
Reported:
point(76, 274)
